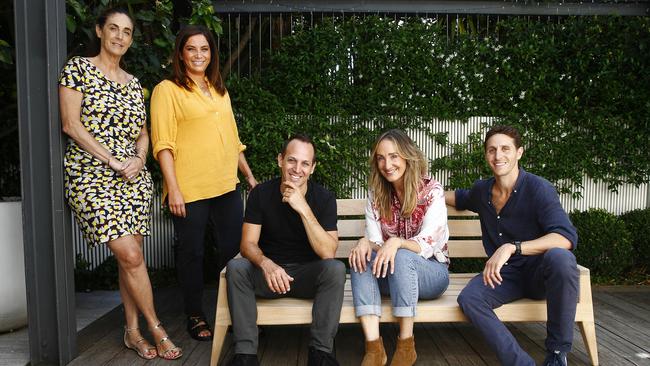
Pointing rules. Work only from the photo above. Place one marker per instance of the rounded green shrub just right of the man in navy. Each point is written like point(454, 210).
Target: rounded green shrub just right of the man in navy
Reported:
point(604, 244)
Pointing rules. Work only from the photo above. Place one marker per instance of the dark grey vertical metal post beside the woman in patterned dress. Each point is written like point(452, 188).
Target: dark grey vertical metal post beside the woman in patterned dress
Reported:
point(49, 267)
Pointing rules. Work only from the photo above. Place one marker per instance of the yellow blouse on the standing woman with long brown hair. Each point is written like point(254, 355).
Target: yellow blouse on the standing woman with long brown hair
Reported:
point(202, 136)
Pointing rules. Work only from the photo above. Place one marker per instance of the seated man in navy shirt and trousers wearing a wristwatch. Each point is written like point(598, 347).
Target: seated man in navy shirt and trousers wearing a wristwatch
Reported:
point(528, 238)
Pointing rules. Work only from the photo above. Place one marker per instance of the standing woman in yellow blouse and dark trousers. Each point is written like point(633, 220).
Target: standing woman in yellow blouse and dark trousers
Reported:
point(195, 140)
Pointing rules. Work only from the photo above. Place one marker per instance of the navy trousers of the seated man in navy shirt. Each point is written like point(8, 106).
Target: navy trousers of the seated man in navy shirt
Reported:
point(552, 276)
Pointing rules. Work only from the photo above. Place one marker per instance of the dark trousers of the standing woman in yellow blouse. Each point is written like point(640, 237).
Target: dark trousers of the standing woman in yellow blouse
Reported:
point(224, 216)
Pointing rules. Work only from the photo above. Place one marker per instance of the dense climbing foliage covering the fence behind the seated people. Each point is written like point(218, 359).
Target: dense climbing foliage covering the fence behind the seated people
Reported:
point(577, 89)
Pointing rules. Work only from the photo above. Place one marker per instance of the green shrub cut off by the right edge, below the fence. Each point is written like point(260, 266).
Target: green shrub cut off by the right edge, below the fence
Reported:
point(637, 223)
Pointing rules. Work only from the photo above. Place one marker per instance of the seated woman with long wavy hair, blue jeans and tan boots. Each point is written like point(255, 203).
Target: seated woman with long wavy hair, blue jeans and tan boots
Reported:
point(404, 251)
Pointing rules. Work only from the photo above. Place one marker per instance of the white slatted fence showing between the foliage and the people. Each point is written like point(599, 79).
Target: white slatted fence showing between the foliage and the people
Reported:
point(159, 246)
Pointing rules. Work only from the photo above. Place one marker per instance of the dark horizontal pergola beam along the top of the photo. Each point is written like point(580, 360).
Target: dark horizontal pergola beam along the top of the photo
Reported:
point(629, 8)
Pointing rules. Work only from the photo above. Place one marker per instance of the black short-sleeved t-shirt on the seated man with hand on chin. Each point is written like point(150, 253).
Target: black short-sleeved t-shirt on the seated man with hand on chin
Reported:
point(283, 238)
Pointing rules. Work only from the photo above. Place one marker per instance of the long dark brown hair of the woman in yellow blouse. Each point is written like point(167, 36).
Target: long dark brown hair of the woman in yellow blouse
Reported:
point(179, 74)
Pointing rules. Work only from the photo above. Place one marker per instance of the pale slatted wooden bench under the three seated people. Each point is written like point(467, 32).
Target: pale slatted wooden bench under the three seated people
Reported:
point(462, 225)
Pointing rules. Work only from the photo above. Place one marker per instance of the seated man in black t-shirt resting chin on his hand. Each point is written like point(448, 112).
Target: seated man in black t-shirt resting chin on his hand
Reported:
point(289, 240)
